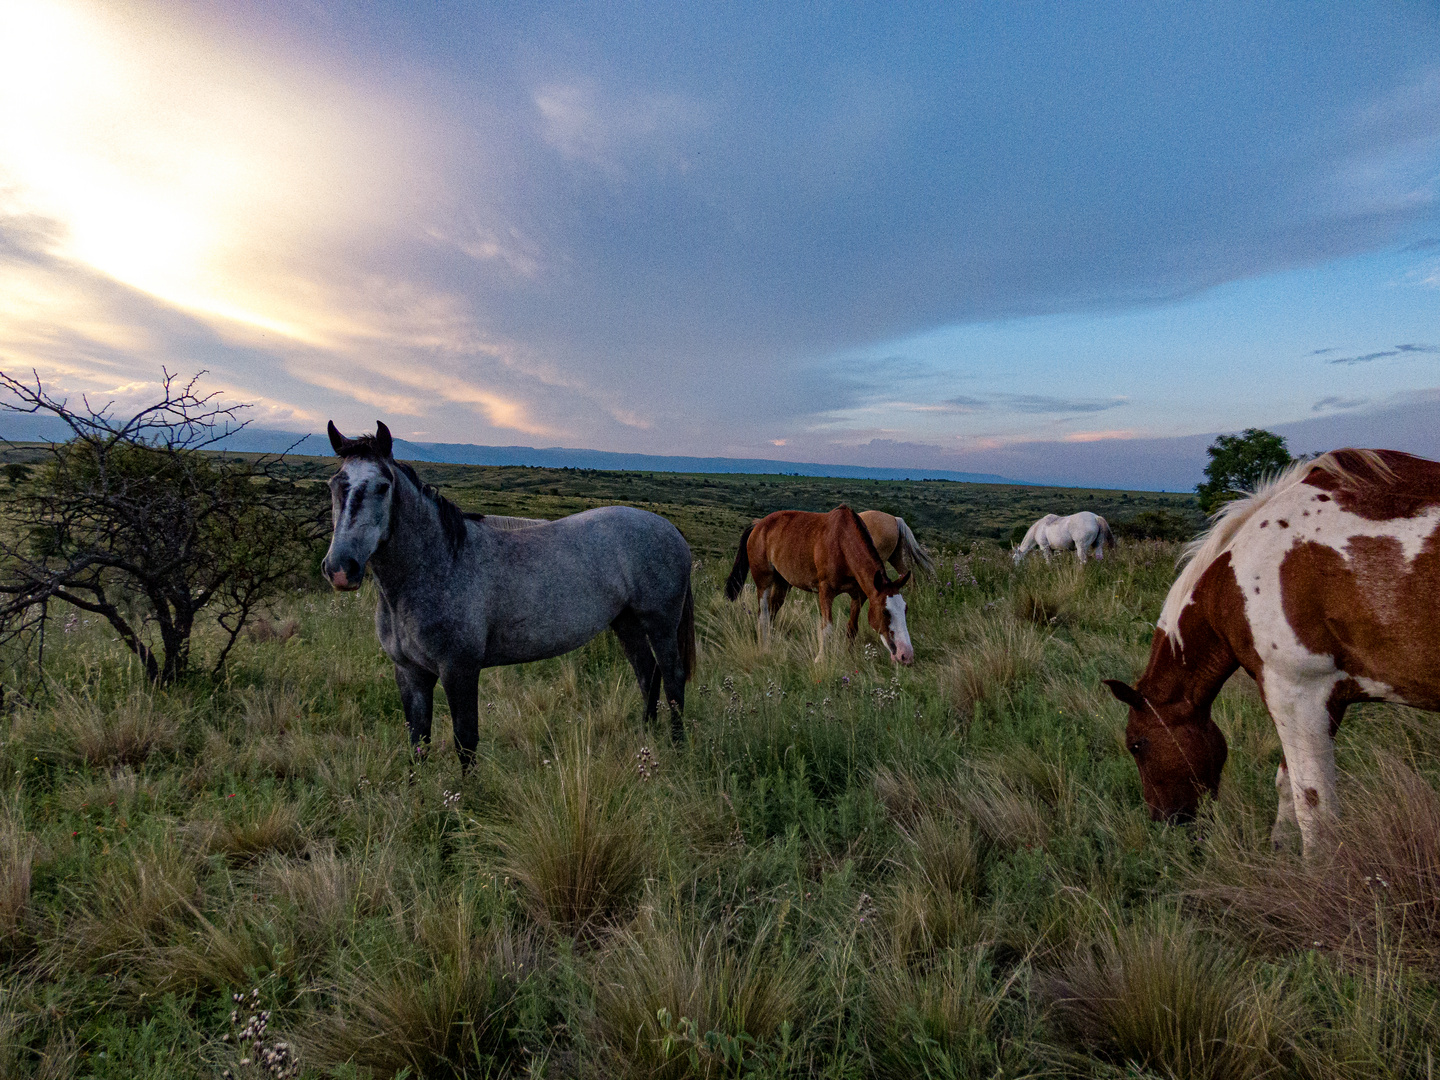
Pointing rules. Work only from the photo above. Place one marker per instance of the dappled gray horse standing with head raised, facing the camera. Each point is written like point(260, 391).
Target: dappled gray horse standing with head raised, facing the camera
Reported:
point(457, 595)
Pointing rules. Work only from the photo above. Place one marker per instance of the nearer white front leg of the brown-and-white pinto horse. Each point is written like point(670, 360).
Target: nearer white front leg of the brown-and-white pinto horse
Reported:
point(1304, 725)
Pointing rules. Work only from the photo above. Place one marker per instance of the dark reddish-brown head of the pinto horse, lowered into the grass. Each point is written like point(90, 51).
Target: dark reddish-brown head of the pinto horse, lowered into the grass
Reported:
point(1177, 748)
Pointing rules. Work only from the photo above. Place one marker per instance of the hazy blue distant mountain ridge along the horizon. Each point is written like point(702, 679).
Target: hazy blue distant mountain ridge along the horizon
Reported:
point(271, 441)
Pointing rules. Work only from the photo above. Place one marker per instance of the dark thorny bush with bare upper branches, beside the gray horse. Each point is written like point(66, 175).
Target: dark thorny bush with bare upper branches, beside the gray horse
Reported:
point(135, 522)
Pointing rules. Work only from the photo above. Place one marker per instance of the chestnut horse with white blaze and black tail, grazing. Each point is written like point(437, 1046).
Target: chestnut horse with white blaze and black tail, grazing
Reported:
point(827, 555)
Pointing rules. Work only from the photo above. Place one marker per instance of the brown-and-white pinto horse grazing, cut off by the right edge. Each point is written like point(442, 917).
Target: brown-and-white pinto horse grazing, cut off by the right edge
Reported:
point(1324, 585)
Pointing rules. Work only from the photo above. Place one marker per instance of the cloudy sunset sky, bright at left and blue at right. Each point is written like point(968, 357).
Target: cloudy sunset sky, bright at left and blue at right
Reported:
point(1050, 241)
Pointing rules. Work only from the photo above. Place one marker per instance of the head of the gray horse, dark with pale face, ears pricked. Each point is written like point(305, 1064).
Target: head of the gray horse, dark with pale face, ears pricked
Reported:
point(361, 496)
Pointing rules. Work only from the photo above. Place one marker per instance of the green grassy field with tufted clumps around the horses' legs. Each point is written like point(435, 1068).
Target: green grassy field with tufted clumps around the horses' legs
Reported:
point(849, 870)
